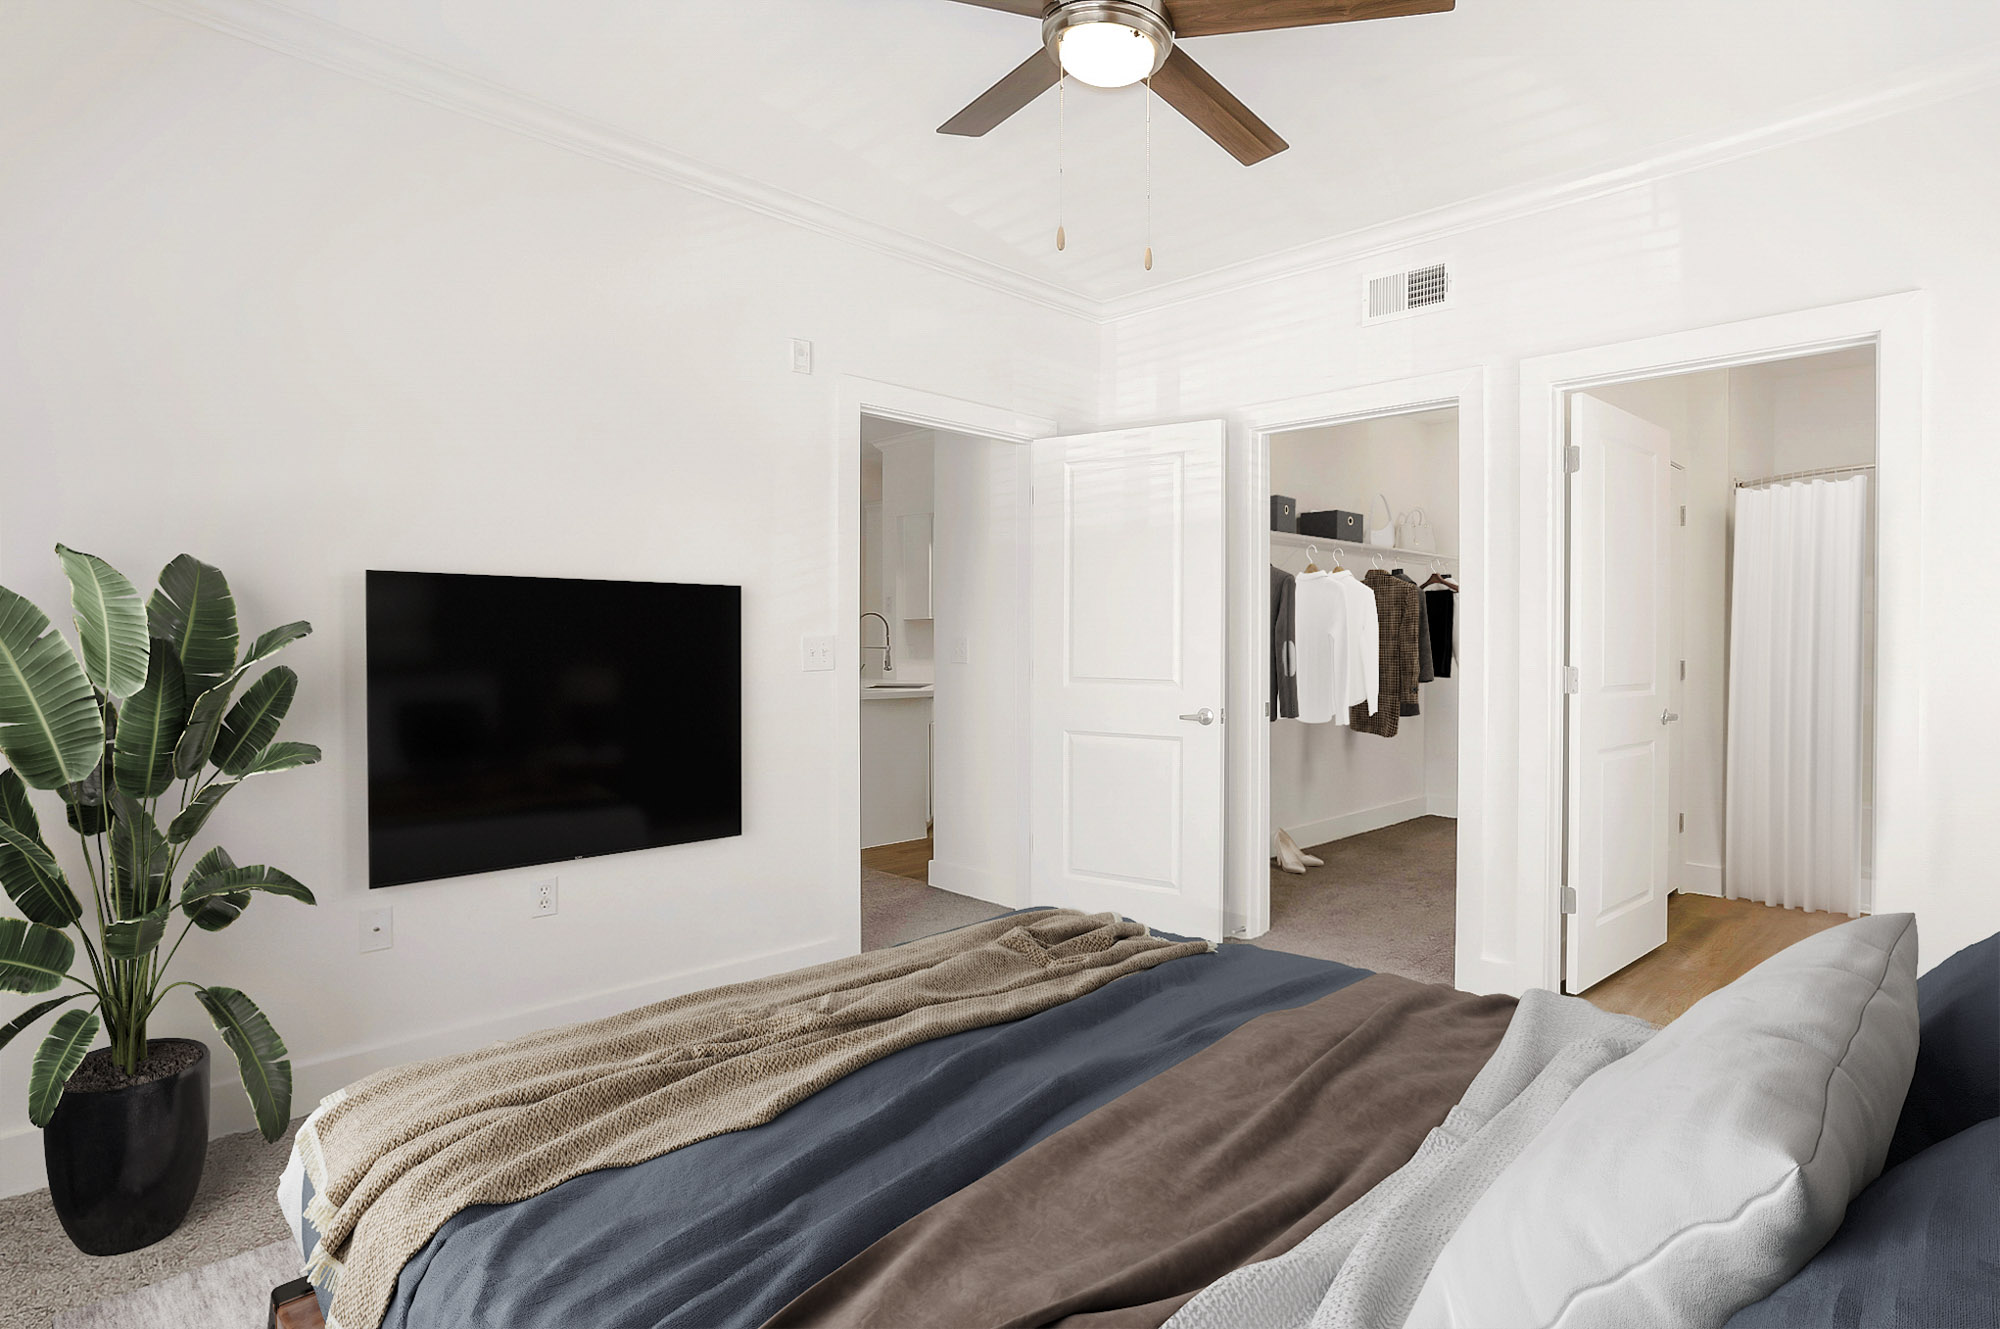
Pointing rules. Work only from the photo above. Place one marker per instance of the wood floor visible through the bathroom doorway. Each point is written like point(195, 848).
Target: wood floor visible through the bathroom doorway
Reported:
point(1709, 944)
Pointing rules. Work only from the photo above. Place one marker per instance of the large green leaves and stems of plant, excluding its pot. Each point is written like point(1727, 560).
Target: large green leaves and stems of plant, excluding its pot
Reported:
point(145, 730)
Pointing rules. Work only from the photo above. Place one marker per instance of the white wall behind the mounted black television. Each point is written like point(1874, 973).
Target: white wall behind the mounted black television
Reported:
point(305, 327)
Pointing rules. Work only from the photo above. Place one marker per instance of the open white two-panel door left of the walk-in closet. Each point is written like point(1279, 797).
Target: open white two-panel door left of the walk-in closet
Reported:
point(1129, 674)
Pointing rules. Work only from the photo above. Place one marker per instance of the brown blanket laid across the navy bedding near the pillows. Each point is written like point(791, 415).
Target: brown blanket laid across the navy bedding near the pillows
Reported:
point(1231, 1158)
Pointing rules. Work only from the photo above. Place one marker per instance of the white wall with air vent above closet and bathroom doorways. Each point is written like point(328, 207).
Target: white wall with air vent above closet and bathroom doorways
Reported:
point(1889, 205)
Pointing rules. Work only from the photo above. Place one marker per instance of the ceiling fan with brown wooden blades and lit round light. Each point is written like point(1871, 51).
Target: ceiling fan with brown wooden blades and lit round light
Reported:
point(1119, 43)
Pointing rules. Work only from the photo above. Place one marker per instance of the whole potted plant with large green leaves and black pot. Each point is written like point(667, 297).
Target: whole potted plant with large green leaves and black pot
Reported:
point(141, 742)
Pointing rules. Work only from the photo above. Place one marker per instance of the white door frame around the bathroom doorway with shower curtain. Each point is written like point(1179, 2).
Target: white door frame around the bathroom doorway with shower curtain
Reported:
point(1897, 329)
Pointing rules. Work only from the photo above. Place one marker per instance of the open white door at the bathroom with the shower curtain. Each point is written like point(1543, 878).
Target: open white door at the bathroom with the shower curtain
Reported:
point(1621, 710)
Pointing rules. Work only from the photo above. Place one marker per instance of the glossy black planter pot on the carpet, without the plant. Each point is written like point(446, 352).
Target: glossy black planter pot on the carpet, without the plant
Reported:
point(125, 1164)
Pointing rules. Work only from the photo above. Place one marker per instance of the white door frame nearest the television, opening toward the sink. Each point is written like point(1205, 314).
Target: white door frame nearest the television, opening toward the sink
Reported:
point(855, 397)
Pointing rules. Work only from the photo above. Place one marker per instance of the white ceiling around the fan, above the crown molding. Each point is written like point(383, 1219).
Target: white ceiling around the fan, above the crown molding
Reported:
point(837, 103)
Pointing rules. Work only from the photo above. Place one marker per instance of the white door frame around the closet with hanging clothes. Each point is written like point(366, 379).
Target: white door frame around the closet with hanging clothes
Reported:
point(1247, 888)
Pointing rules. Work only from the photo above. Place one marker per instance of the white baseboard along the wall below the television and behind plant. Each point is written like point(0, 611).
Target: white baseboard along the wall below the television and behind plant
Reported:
point(315, 1078)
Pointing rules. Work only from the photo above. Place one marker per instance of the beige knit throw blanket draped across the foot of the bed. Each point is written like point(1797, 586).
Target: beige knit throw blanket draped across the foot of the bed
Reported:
point(395, 1156)
